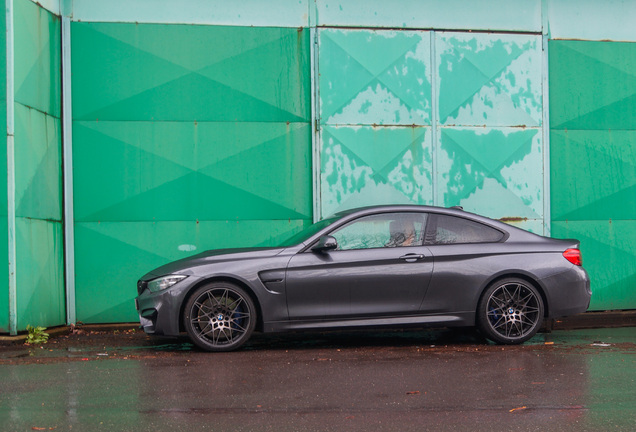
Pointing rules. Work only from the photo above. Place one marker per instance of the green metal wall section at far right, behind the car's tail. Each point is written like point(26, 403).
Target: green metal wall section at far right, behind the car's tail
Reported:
point(593, 161)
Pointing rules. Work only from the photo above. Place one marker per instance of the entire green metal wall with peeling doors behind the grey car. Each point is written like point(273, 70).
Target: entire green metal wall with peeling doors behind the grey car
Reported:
point(180, 132)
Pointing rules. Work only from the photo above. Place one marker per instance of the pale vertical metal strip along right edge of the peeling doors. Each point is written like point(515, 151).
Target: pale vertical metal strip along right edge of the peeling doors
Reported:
point(547, 216)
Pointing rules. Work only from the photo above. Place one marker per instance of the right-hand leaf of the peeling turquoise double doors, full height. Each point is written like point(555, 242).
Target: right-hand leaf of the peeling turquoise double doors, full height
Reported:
point(490, 157)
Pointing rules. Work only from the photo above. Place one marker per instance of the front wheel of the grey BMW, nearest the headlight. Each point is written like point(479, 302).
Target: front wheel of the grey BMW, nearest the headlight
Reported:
point(219, 316)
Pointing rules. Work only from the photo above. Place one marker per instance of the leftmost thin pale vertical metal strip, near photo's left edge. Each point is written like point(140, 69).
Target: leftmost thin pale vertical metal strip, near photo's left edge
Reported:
point(11, 211)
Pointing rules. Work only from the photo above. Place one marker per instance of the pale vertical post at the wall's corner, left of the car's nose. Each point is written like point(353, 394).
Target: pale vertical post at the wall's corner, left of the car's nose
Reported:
point(67, 171)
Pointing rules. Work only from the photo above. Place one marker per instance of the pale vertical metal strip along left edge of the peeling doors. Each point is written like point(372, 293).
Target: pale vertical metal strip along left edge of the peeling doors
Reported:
point(315, 113)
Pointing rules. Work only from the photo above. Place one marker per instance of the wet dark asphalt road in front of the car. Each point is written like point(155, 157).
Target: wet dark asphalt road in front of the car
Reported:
point(580, 380)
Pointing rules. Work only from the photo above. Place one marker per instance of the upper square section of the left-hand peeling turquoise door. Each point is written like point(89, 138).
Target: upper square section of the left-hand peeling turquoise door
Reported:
point(375, 77)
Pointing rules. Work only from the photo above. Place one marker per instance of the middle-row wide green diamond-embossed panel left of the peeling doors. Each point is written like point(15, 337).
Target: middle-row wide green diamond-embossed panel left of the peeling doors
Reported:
point(179, 171)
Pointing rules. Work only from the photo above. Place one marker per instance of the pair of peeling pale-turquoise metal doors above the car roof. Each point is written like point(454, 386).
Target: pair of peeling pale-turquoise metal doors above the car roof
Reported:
point(379, 143)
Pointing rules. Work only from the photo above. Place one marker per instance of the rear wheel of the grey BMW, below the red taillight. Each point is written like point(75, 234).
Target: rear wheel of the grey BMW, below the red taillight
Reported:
point(510, 311)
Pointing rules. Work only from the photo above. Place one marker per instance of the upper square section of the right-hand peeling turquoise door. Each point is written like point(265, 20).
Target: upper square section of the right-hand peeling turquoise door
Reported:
point(489, 79)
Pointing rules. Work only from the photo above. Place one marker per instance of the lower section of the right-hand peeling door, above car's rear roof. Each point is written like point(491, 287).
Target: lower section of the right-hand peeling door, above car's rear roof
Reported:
point(493, 171)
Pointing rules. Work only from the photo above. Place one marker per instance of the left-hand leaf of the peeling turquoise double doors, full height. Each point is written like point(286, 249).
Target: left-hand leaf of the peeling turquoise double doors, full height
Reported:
point(375, 112)
